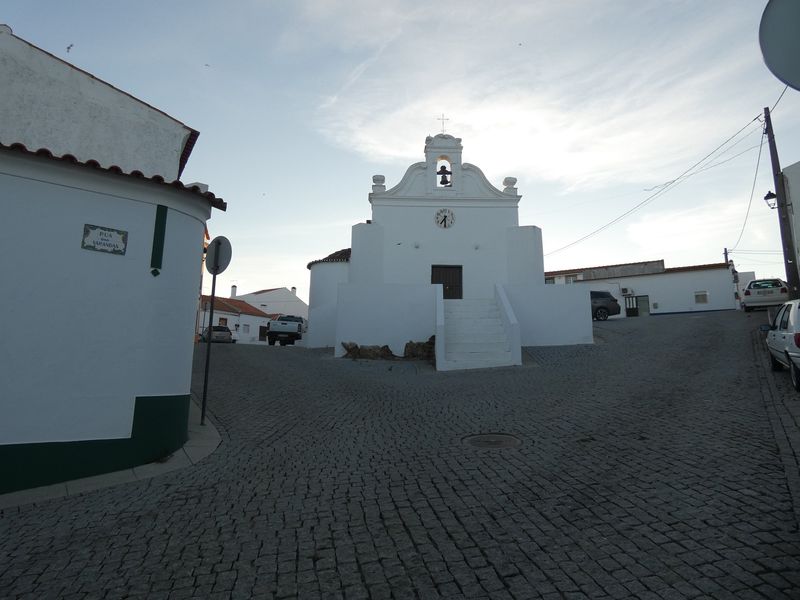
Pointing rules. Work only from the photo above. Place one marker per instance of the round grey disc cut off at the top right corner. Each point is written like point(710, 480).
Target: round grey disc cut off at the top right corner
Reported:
point(779, 38)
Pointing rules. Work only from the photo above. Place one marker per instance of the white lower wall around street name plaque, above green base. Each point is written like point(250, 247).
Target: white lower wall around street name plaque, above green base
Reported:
point(91, 330)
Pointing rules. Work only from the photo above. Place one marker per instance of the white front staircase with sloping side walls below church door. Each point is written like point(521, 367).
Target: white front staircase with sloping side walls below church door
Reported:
point(475, 337)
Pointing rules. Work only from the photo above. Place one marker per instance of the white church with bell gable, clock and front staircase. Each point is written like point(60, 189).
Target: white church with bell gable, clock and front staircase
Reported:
point(444, 254)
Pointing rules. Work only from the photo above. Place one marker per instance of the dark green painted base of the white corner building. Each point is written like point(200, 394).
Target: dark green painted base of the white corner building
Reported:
point(160, 426)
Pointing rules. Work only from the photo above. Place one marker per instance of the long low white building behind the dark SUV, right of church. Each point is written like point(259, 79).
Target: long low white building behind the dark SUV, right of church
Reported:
point(648, 287)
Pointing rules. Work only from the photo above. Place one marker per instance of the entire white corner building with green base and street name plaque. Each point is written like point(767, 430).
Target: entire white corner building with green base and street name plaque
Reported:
point(101, 262)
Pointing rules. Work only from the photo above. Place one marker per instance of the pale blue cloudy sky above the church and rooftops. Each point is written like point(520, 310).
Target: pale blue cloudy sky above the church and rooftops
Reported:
point(599, 109)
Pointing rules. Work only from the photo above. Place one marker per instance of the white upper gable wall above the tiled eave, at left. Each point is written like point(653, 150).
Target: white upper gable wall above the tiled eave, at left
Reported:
point(47, 103)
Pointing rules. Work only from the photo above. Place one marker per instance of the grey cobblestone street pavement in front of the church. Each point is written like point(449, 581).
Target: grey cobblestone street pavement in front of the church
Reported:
point(653, 465)
